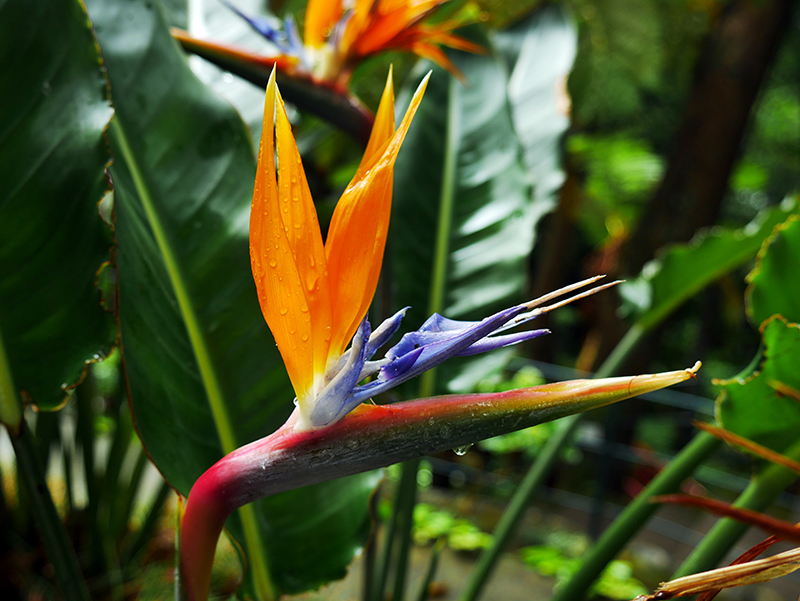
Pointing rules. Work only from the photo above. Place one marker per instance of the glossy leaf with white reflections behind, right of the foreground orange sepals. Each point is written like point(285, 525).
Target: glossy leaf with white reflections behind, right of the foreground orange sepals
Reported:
point(464, 211)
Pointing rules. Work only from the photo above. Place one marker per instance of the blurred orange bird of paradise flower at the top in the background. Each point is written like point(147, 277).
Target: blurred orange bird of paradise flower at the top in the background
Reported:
point(315, 70)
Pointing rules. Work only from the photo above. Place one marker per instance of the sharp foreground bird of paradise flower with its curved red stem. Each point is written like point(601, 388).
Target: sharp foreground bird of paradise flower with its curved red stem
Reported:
point(315, 298)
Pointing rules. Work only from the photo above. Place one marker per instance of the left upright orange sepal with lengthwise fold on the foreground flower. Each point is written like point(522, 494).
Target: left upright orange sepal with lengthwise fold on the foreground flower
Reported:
point(286, 252)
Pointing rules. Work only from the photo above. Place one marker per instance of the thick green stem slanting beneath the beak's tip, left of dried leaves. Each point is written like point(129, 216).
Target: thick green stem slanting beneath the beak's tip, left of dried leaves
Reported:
point(635, 515)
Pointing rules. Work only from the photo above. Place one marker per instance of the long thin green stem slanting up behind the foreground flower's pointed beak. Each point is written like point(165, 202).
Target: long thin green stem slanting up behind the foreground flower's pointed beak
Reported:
point(537, 473)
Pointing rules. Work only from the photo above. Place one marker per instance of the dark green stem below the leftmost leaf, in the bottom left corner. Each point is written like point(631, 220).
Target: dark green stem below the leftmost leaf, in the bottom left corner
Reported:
point(54, 535)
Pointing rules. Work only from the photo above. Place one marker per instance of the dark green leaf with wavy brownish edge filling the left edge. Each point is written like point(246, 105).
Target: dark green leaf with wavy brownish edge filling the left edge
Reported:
point(54, 107)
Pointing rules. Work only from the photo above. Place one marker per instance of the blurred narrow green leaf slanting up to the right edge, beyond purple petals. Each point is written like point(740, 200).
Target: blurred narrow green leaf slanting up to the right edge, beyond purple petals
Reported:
point(682, 270)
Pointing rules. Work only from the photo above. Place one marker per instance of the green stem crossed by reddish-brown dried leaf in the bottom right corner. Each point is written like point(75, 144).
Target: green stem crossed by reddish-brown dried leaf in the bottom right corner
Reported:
point(759, 494)
